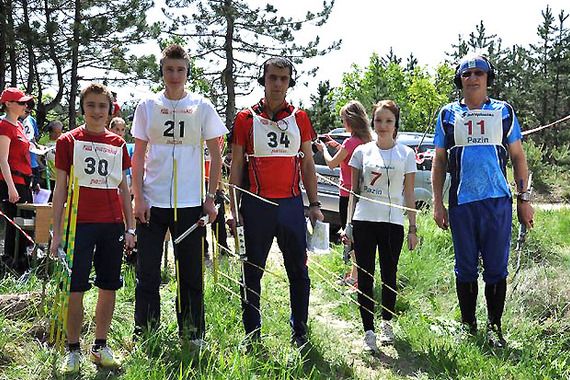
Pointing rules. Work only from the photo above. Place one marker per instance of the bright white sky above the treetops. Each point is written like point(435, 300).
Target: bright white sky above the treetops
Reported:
point(425, 28)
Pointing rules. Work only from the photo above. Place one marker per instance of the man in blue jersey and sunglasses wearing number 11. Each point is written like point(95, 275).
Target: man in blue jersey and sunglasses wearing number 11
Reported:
point(474, 138)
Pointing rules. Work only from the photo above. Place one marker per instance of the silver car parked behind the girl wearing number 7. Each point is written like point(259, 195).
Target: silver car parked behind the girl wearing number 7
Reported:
point(328, 193)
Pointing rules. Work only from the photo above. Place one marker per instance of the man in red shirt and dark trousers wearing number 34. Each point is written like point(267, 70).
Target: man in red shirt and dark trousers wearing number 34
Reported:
point(271, 150)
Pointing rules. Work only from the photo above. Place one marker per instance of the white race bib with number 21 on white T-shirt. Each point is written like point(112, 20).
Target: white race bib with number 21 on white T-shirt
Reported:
point(174, 127)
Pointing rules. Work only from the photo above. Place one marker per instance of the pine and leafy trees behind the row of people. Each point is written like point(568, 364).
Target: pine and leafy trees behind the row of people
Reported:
point(50, 48)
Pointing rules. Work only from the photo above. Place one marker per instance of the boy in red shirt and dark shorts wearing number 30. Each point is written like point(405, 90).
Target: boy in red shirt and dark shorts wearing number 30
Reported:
point(100, 161)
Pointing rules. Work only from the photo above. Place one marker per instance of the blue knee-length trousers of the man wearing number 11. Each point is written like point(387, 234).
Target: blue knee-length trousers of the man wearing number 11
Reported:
point(482, 227)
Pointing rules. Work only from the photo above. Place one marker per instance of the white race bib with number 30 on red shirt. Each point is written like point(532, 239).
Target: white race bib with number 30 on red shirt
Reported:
point(98, 165)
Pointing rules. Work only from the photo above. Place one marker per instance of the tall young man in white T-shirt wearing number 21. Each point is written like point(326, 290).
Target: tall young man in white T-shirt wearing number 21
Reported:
point(169, 129)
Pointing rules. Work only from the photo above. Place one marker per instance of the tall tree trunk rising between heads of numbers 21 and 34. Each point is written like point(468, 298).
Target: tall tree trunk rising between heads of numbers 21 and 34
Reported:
point(227, 73)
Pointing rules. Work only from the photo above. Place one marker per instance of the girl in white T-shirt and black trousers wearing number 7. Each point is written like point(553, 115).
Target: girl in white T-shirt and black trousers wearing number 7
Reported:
point(383, 174)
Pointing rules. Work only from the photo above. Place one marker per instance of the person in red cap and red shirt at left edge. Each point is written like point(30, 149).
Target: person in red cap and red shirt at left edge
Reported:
point(15, 172)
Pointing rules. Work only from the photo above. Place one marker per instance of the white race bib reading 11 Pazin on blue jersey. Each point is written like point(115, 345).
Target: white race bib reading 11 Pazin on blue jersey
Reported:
point(480, 127)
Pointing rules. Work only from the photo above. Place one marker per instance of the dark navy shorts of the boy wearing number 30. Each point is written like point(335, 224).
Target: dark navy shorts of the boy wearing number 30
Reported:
point(101, 245)
